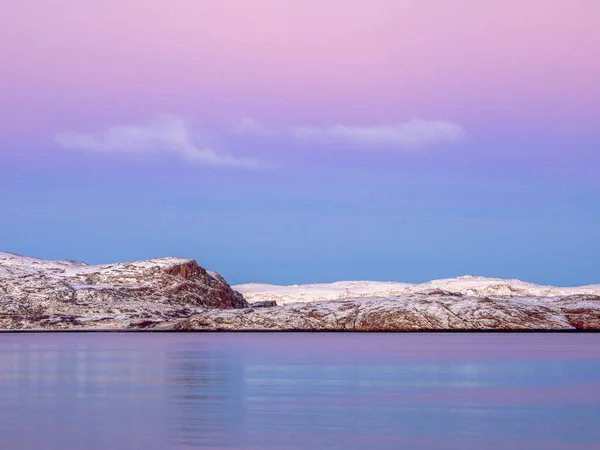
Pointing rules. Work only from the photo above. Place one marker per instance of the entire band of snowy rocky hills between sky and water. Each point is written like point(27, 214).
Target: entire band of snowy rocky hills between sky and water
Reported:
point(178, 294)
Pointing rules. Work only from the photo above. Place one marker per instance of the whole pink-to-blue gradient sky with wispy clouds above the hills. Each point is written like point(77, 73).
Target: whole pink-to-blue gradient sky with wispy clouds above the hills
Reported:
point(301, 141)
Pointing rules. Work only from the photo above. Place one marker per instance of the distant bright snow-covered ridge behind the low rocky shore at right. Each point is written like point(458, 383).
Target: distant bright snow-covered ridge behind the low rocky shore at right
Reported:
point(467, 285)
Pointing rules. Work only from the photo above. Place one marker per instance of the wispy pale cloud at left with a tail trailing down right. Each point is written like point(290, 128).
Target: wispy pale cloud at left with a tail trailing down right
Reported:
point(166, 134)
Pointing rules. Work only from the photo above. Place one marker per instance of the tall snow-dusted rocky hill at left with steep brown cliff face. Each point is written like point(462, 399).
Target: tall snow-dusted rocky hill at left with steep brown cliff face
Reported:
point(67, 294)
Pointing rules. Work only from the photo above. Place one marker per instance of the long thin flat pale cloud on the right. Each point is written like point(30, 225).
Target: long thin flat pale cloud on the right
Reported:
point(413, 134)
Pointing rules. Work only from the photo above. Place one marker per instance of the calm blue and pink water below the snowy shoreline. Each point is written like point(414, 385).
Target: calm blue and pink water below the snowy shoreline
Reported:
point(299, 390)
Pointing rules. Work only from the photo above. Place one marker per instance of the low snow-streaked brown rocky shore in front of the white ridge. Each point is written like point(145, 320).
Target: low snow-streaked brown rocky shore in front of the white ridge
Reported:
point(420, 312)
